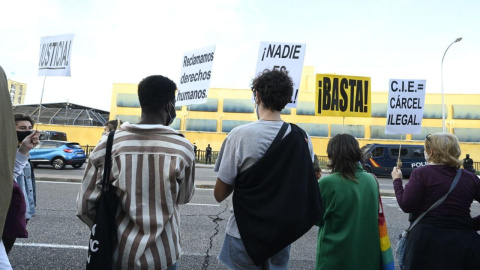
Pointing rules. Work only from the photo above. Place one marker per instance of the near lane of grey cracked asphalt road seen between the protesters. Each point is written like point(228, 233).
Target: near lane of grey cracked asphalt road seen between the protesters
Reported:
point(58, 240)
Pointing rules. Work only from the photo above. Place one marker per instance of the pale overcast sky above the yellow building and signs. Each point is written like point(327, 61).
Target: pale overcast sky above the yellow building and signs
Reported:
point(125, 41)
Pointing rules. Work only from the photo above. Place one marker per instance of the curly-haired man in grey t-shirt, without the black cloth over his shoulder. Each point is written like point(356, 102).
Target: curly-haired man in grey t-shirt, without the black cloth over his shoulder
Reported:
point(242, 148)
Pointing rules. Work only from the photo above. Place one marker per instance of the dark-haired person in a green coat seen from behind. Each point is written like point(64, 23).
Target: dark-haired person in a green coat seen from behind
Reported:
point(348, 236)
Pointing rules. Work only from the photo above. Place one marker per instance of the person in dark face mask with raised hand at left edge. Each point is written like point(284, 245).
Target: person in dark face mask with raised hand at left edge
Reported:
point(22, 207)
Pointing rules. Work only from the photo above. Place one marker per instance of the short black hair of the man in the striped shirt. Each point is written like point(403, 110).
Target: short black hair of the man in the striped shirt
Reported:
point(155, 92)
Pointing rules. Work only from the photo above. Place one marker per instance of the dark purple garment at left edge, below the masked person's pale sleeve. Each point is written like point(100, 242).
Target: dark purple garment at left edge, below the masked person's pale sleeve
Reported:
point(15, 223)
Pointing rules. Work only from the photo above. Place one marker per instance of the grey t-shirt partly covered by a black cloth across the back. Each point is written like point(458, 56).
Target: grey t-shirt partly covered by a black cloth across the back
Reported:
point(242, 148)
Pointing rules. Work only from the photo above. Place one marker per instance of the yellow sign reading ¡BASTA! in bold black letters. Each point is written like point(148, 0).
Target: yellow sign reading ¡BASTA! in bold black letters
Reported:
point(341, 95)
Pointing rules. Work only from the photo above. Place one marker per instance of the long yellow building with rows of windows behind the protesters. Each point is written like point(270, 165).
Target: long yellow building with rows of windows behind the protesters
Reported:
point(225, 109)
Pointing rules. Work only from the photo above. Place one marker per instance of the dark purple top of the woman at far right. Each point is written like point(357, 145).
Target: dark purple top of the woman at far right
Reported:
point(428, 183)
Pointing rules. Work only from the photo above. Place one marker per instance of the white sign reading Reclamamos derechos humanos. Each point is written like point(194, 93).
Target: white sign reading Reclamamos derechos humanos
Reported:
point(195, 76)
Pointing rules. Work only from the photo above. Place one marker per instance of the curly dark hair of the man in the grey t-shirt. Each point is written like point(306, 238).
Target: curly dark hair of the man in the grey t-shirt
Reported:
point(275, 88)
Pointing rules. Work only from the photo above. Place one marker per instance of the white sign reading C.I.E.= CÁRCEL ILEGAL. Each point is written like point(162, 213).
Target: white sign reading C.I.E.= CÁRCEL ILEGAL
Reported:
point(406, 99)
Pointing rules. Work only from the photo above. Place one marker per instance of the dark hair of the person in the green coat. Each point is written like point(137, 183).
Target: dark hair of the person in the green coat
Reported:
point(344, 153)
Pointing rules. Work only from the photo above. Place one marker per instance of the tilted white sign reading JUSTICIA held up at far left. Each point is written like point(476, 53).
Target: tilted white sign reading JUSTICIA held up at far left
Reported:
point(55, 53)
